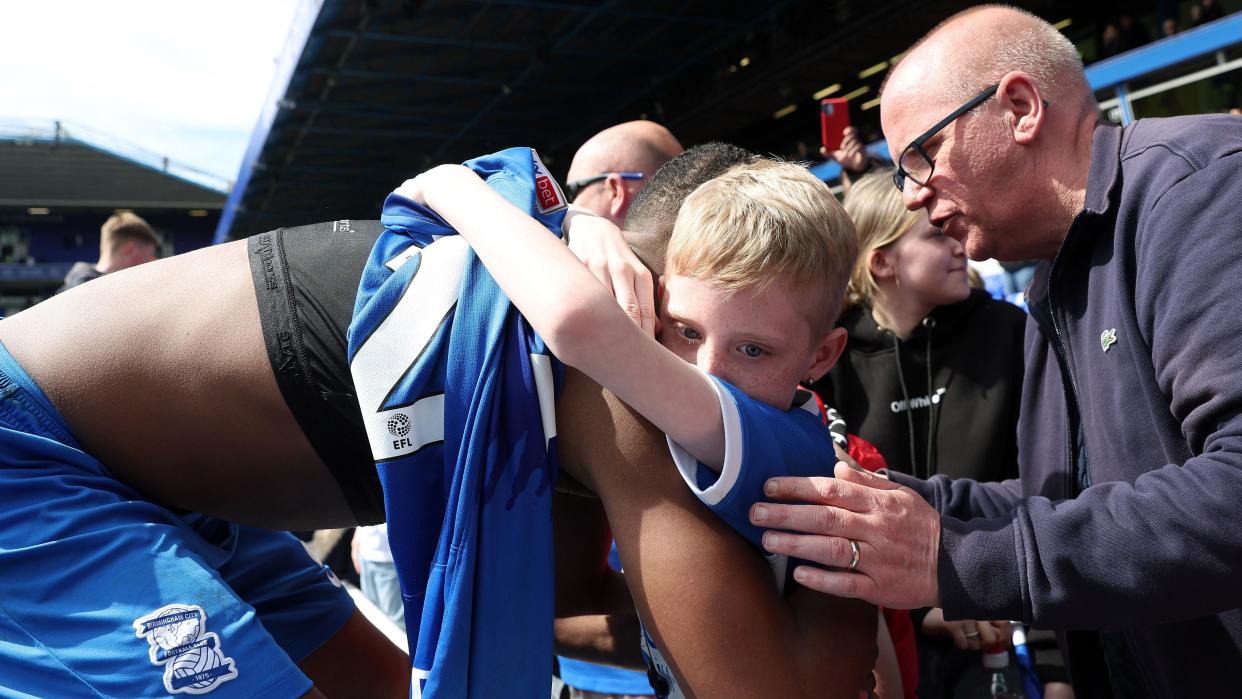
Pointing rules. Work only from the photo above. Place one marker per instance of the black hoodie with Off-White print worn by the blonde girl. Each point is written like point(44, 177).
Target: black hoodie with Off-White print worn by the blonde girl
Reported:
point(961, 409)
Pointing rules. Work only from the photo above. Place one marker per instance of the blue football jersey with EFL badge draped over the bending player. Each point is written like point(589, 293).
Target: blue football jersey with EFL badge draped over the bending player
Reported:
point(458, 397)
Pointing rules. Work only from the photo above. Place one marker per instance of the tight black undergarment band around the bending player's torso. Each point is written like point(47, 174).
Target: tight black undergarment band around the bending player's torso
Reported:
point(306, 280)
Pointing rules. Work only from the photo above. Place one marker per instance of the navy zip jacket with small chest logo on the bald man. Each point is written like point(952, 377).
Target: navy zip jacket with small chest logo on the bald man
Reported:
point(1128, 512)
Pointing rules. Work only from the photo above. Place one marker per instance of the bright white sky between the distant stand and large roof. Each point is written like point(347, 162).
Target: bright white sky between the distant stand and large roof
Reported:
point(179, 79)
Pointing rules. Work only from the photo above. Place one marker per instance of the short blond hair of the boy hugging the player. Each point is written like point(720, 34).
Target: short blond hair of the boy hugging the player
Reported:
point(766, 223)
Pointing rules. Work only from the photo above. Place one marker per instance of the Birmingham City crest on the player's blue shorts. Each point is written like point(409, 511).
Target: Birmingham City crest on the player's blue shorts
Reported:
point(193, 660)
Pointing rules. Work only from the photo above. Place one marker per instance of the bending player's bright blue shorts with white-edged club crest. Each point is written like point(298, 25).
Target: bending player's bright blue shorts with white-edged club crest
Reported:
point(106, 594)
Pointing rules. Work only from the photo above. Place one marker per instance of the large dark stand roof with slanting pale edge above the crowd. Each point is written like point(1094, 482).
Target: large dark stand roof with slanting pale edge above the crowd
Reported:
point(371, 92)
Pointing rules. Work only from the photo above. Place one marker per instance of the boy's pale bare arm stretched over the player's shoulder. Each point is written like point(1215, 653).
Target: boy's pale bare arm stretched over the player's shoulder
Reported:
point(576, 316)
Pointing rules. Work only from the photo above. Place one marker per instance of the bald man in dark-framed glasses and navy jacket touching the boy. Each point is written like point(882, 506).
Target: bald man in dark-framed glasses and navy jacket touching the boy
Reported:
point(1125, 521)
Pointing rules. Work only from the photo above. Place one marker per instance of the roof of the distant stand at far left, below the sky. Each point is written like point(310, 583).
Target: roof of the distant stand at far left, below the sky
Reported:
point(55, 167)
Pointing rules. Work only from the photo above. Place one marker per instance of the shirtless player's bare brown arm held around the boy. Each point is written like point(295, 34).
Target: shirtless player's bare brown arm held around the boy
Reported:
point(706, 595)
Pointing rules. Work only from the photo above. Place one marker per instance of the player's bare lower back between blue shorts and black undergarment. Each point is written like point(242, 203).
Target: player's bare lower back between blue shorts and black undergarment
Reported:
point(162, 374)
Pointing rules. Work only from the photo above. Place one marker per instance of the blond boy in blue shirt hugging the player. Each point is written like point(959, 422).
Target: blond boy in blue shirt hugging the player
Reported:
point(757, 270)
